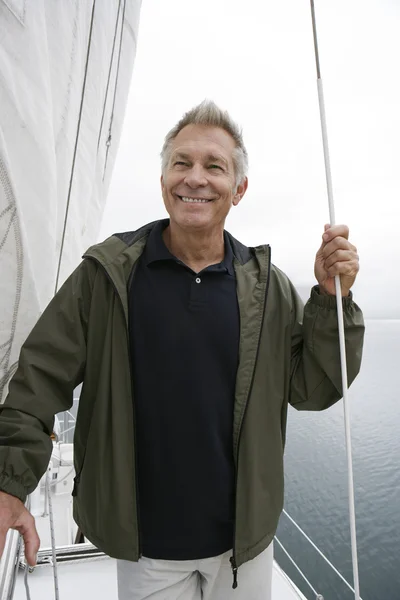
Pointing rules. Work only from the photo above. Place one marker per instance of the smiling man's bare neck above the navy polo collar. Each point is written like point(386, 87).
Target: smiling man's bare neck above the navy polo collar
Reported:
point(197, 250)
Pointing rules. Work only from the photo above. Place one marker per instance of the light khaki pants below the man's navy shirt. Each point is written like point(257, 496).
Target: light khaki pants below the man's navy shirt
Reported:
point(207, 579)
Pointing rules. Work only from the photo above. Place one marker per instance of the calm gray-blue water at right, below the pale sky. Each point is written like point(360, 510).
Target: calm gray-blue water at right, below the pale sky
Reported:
point(316, 480)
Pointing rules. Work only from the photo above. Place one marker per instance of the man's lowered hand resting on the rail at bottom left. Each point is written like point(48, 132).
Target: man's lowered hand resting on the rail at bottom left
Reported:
point(14, 515)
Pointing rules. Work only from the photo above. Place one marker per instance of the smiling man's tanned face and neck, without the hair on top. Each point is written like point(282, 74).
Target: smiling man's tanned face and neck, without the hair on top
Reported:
point(200, 184)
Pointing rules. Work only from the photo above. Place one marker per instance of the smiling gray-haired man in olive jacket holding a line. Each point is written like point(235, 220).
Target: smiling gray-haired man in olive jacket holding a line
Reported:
point(190, 347)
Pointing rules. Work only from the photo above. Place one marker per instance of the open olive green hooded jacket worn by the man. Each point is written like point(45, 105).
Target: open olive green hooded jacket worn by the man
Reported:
point(82, 336)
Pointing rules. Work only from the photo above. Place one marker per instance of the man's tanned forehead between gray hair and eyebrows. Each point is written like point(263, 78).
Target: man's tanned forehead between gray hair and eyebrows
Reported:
point(204, 140)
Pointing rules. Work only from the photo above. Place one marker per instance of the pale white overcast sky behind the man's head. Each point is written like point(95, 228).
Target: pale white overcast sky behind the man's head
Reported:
point(256, 59)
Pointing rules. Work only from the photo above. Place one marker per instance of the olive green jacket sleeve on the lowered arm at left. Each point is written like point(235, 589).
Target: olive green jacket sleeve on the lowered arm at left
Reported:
point(51, 365)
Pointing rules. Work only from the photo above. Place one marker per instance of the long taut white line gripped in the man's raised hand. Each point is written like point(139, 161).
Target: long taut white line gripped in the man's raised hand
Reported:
point(340, 320)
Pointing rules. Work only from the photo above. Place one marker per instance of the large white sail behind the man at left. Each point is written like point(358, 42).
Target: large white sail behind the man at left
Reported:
point(65, 70)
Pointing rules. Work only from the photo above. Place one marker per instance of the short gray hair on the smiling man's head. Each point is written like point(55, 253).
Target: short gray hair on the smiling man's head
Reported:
point(209, 114)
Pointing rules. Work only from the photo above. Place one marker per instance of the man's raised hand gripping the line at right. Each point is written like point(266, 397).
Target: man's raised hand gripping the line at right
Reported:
point(336, 256)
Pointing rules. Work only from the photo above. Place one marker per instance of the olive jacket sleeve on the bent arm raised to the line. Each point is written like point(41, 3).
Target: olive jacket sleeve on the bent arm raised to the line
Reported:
point(316, 381)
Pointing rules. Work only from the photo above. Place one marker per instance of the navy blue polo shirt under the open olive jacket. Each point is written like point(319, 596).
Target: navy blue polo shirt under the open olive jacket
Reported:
point(184, 336)
